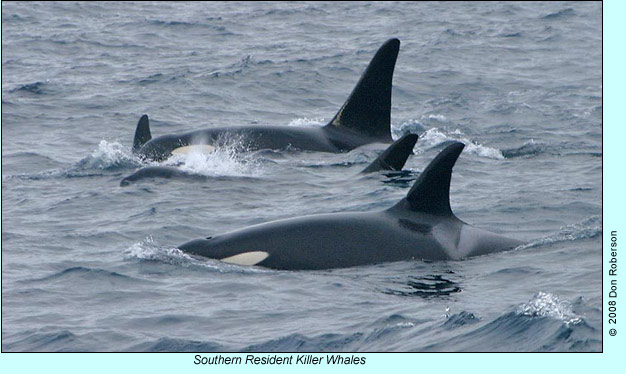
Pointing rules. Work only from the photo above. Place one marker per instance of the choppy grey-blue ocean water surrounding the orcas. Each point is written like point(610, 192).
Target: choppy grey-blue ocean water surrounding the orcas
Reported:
point(88, 265)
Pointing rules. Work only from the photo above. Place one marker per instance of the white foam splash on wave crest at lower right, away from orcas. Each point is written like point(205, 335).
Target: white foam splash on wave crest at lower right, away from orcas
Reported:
point(545, 304)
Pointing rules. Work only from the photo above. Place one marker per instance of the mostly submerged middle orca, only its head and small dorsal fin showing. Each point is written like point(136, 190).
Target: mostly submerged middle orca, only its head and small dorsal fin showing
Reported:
point(393, 158)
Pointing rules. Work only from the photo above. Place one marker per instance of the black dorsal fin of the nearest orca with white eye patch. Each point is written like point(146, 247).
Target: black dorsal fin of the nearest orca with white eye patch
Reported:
point(431, 192)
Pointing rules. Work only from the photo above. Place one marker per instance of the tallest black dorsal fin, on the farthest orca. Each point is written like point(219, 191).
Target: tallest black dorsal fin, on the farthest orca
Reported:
point(368, 108)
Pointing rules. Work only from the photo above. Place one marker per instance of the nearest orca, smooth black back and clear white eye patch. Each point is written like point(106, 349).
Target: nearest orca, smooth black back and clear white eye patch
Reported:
point(420, 226)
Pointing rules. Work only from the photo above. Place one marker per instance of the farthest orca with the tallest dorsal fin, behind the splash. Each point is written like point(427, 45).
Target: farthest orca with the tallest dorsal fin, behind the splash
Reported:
point(364, 118)
